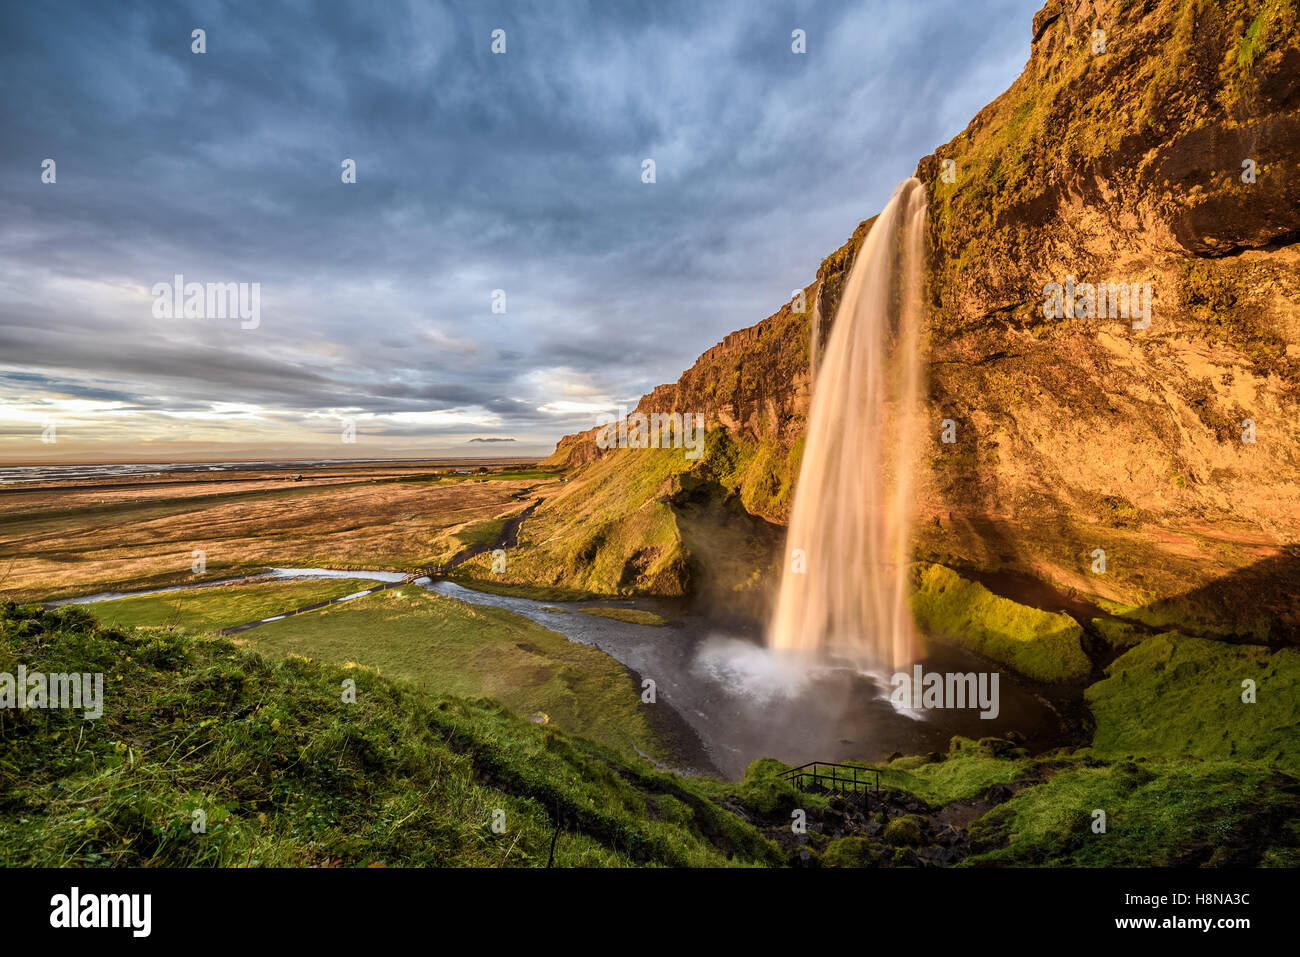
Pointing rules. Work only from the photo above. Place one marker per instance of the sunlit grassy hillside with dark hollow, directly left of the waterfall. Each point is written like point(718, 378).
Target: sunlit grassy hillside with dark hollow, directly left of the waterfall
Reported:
point(652, 522)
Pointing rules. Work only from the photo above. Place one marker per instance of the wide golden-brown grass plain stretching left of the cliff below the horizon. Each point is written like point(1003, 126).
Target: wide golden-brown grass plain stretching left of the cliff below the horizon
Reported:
point(53, 553)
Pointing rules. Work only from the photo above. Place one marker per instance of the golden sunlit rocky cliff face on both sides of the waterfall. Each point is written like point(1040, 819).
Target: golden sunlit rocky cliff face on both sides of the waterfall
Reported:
point(1146, 142)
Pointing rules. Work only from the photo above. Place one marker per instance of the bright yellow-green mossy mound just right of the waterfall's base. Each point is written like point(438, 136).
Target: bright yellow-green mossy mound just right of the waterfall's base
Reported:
point(1039, 644)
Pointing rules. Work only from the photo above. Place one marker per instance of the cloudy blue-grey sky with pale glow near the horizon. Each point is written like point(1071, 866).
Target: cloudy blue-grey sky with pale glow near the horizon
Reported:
point(500, 274)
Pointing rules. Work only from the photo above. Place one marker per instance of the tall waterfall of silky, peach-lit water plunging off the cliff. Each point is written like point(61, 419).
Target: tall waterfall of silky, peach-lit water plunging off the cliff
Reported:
point(844, 587)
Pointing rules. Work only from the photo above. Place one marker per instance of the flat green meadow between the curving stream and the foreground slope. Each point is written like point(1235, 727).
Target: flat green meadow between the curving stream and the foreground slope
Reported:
point(470, 651)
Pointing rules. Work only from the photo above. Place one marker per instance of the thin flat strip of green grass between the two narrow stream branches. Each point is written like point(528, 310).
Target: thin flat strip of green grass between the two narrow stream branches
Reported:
point(222, 607)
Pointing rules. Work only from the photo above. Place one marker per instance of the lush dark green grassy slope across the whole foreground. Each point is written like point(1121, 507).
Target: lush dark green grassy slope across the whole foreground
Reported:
point(288, 773)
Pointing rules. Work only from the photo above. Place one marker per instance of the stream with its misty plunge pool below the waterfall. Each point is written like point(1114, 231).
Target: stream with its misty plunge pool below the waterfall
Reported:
point(727, 699)
